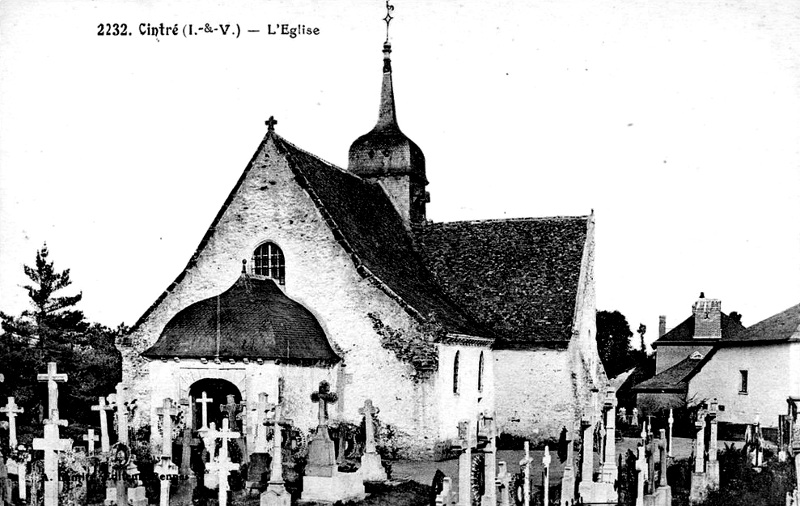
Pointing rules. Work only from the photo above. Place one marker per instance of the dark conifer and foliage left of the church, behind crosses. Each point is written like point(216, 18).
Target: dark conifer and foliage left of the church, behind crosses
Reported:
point(54, 330)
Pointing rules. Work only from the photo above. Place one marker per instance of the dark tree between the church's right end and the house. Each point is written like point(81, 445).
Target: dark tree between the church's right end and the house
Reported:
point(613, 342)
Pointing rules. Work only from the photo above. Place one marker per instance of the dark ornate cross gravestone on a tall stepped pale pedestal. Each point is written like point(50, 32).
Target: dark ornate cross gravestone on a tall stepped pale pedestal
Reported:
point(323, 481)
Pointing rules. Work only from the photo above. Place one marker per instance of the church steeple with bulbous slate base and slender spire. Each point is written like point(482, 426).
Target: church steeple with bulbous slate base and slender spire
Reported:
point(385, 155)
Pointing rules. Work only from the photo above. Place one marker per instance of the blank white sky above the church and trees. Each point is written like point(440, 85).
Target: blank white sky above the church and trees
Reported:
point(676, 122)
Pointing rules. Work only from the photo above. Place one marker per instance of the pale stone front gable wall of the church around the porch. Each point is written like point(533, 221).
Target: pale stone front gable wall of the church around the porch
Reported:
point(271, 206)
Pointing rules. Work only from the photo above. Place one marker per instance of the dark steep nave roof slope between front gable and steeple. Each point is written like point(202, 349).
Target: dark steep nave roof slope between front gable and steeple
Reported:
point(366, 224)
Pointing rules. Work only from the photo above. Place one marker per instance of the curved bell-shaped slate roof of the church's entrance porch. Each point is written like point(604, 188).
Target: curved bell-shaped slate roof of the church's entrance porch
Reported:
point(254, 318)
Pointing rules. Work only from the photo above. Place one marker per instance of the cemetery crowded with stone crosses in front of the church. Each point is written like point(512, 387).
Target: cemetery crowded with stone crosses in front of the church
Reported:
point(590, 464)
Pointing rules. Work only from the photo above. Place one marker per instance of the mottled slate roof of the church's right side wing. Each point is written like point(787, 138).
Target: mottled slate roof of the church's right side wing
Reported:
point(518, 277)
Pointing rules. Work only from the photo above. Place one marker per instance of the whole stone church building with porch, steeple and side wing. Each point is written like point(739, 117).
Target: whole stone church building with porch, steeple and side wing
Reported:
point(310, 272)
